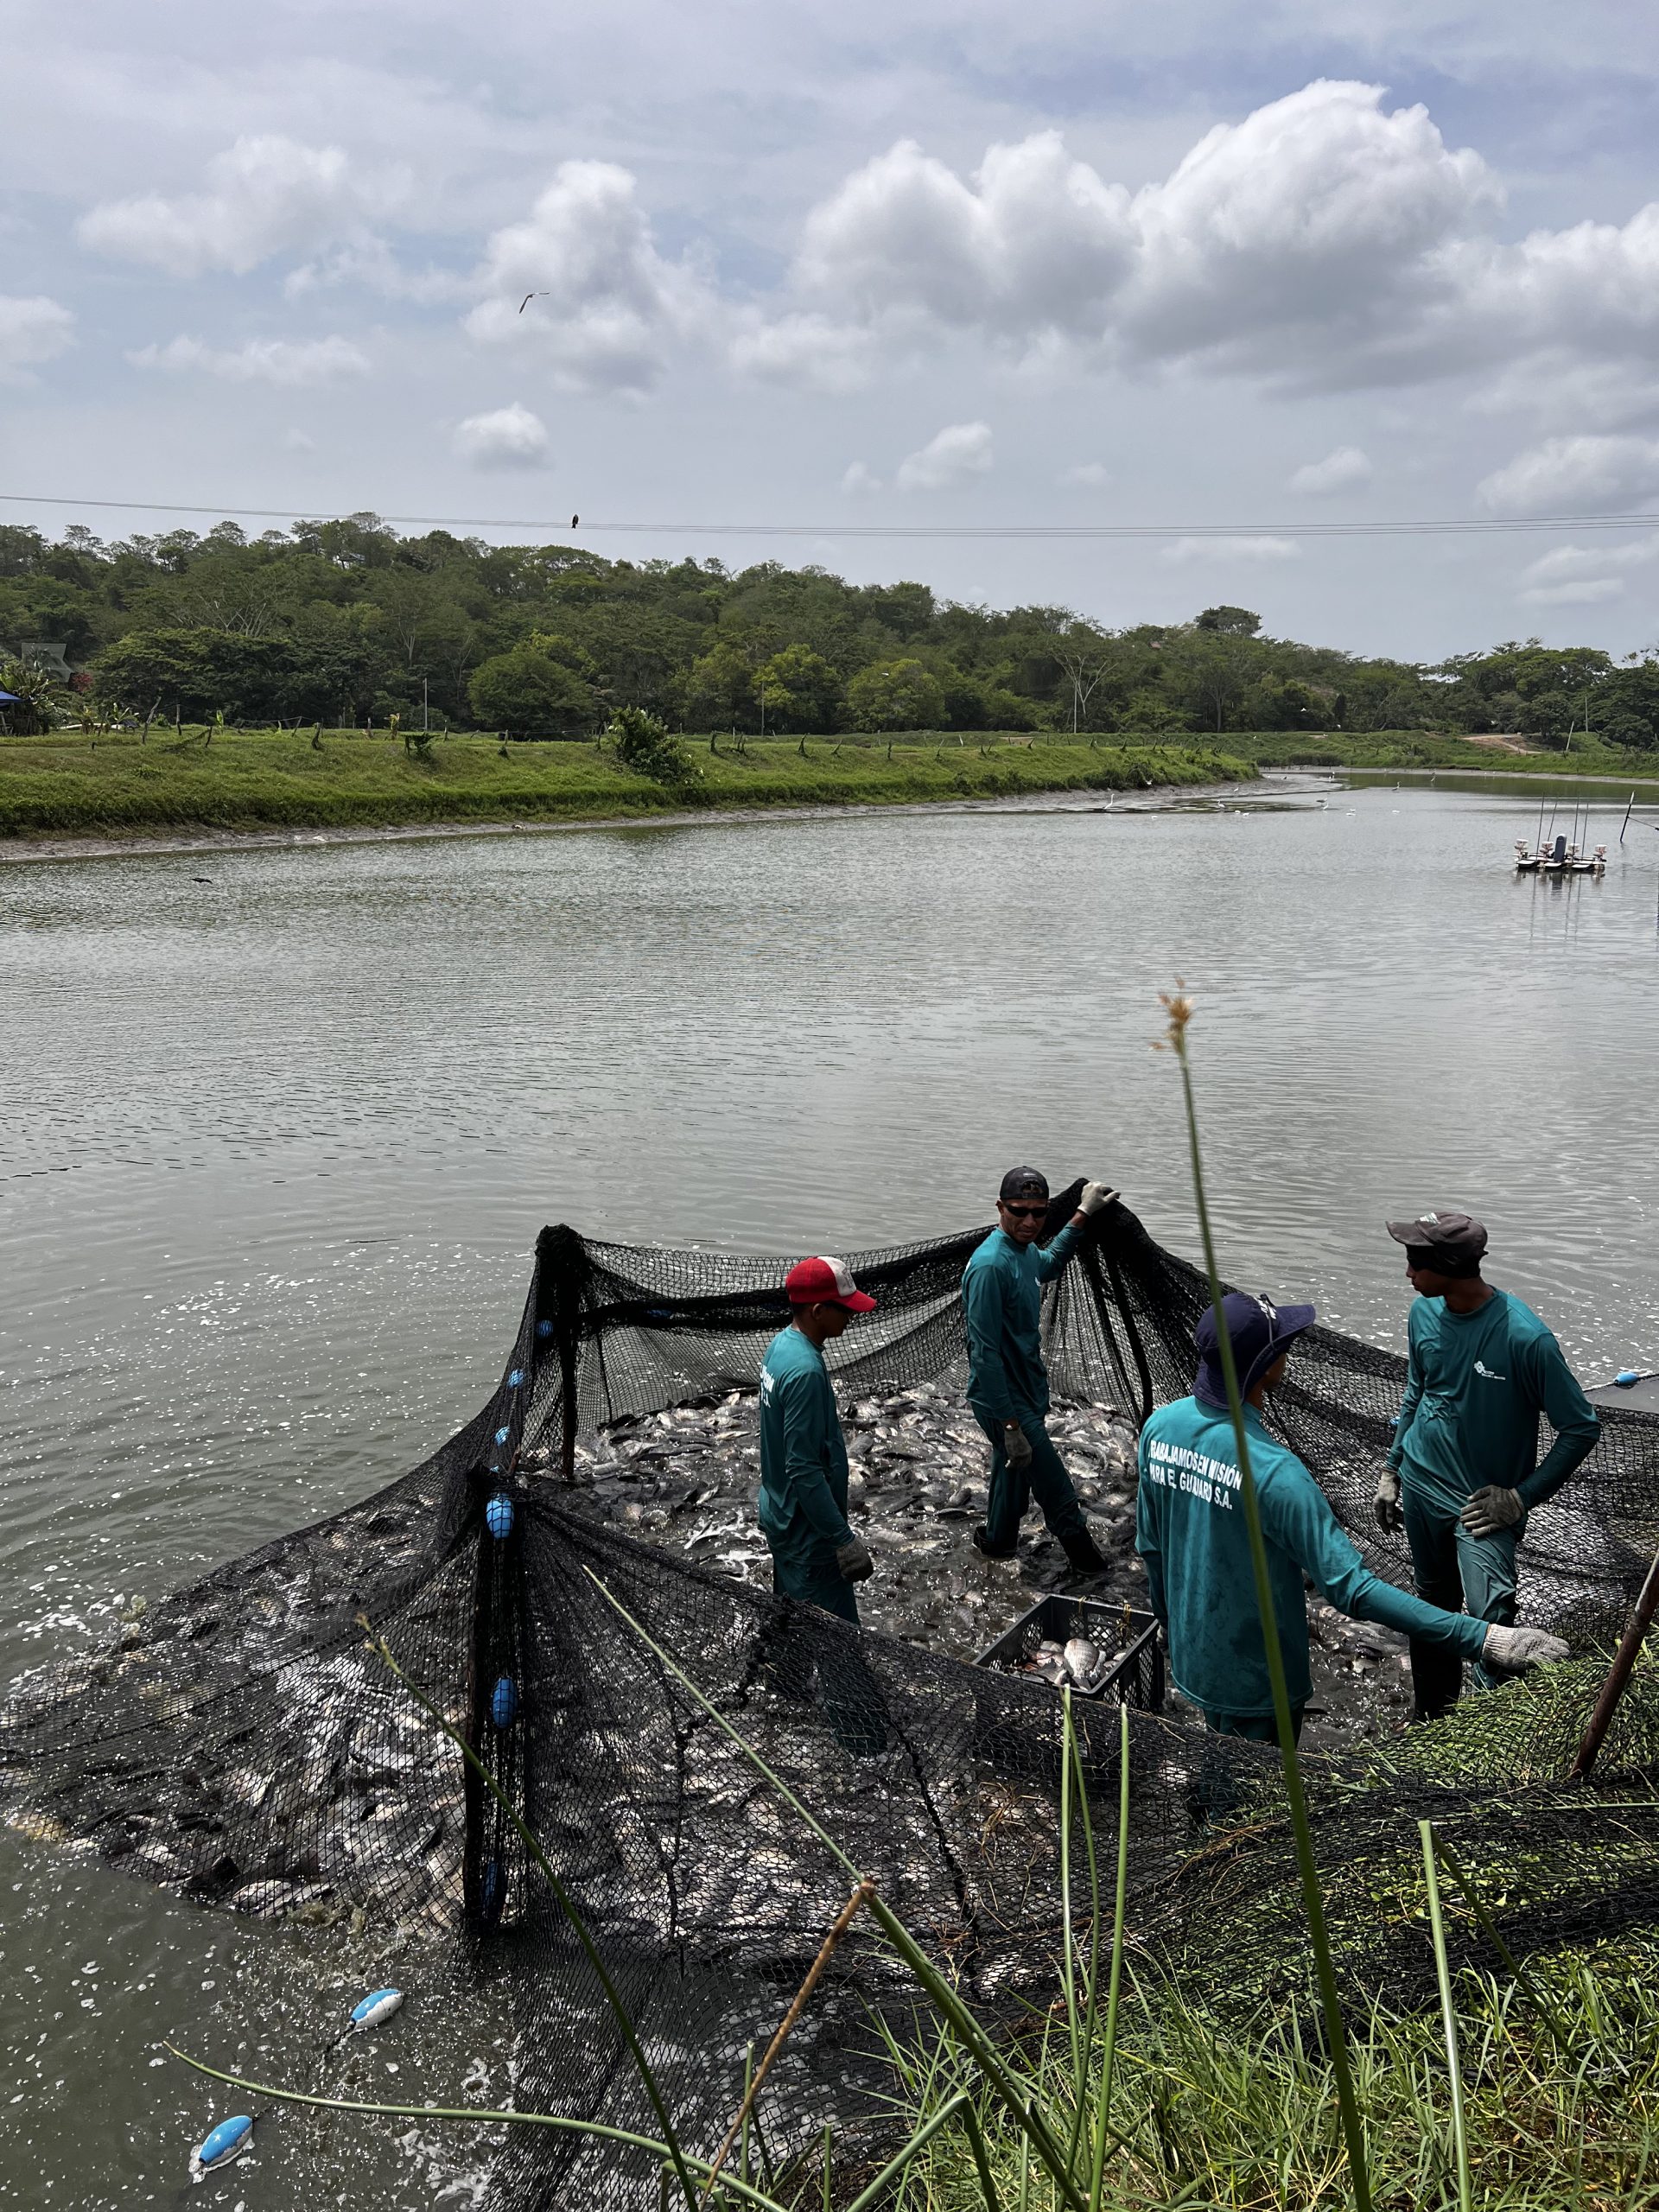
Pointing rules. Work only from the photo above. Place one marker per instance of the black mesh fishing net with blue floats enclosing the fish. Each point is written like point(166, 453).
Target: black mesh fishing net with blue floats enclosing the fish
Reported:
point(244, 1742)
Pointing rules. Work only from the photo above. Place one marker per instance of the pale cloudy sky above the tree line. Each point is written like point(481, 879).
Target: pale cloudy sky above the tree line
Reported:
point(859, 269)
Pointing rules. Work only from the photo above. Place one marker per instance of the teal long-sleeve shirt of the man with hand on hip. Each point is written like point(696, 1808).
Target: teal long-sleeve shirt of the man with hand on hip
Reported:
point(1474, 1390)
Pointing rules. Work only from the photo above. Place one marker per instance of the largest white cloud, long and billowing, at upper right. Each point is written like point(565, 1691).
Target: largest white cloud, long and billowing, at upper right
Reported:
point(1302, 242)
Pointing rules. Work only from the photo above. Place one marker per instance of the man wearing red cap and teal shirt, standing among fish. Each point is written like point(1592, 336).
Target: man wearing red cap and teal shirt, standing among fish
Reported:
point(804, 1454)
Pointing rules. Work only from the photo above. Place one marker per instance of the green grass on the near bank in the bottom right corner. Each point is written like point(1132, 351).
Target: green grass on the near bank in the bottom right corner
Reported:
point(1218, 2116)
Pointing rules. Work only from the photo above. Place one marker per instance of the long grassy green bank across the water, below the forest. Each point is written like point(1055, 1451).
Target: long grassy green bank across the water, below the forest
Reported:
point(114, 786)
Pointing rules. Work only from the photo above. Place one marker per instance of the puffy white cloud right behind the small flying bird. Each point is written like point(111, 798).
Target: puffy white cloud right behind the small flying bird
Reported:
point(583, 286)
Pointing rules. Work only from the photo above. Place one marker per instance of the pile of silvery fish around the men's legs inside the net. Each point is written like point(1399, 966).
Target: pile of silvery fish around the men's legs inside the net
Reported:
point(919, 1468)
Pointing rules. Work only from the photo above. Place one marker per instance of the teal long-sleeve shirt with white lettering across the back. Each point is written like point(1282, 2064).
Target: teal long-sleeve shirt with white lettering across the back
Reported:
point(1191, 1534)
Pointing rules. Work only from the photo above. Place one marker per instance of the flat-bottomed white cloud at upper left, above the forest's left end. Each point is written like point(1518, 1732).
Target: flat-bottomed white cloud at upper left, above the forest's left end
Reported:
point(264, 196)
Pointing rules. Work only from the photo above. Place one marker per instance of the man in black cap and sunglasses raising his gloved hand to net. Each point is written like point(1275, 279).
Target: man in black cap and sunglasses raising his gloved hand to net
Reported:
point(1008, 1377)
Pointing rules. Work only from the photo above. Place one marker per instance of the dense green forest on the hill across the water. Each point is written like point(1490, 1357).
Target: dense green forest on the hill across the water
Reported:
point(351, 623)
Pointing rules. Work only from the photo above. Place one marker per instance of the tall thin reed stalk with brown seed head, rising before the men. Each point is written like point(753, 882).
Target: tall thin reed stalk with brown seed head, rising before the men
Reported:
point(1180, 1014)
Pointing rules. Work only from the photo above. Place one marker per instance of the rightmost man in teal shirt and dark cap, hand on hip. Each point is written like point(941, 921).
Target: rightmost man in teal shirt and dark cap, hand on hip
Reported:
point(1463, 1468)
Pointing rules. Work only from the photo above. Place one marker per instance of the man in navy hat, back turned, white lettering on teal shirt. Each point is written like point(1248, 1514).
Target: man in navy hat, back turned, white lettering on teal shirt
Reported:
point(1191, 1534)
